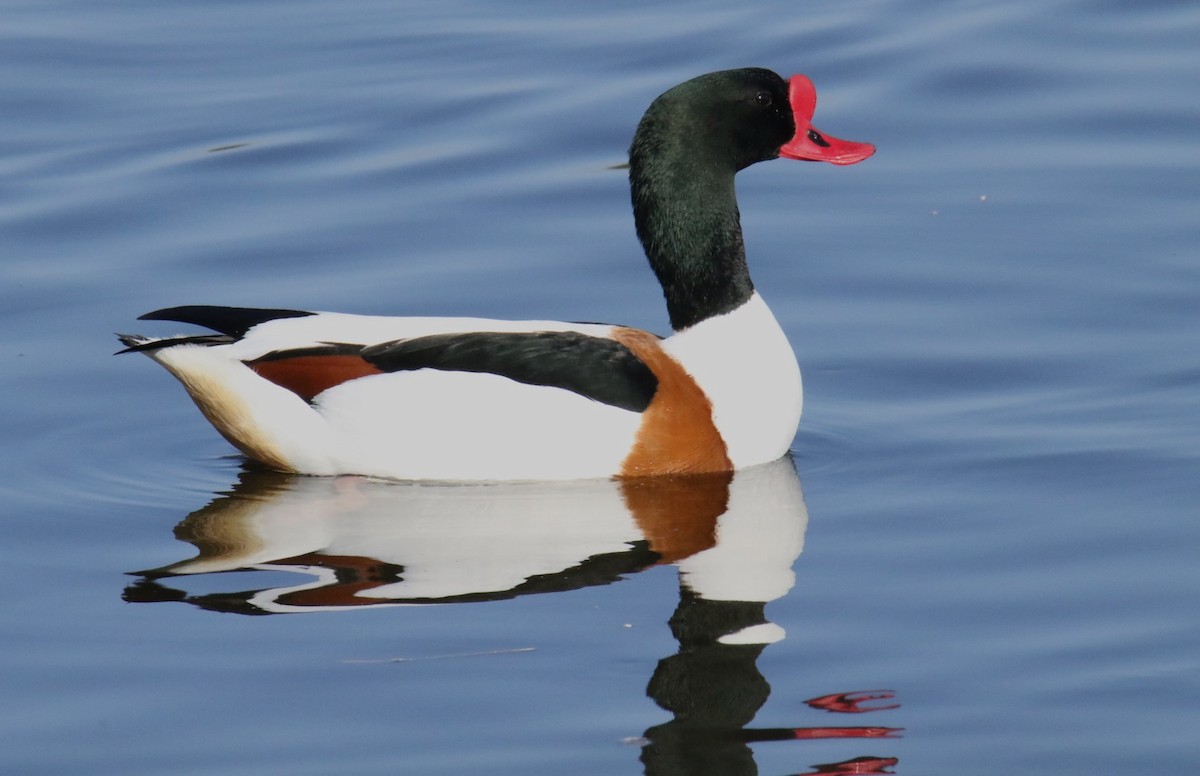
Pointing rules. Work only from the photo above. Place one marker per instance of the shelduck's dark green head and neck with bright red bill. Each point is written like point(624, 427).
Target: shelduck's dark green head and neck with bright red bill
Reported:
point(688, 148)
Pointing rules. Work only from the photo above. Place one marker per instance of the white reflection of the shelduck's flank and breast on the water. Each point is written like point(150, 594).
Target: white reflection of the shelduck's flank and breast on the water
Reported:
point(458, 540)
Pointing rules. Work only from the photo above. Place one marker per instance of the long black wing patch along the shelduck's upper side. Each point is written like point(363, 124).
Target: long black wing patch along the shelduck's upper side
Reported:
point(602, 370)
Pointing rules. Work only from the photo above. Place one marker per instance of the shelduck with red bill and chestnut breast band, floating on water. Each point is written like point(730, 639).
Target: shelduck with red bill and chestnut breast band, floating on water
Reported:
point(441, 399)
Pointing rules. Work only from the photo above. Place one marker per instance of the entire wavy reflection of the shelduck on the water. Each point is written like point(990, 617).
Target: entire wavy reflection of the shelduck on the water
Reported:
point(734, 538)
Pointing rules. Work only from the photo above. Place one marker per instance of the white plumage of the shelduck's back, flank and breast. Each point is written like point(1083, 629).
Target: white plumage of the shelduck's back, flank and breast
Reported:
point(436, 425)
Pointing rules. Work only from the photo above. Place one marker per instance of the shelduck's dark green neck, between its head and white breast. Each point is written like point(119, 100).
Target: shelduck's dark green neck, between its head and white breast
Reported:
point(687, 218)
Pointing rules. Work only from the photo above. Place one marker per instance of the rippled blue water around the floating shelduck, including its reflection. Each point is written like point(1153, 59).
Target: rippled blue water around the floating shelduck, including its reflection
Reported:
point(995, 317)
